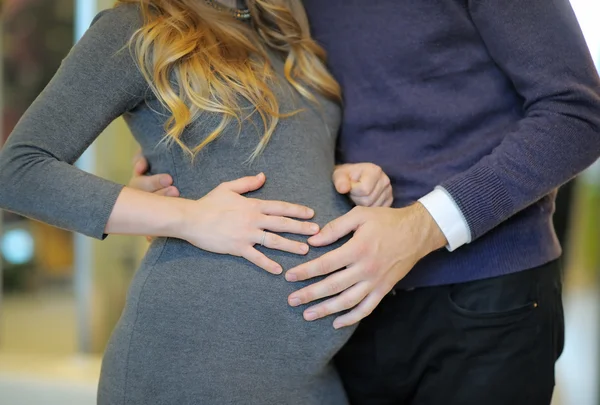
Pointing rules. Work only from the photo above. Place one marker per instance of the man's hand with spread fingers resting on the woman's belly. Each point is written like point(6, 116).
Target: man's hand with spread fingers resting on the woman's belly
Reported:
point(386, 244)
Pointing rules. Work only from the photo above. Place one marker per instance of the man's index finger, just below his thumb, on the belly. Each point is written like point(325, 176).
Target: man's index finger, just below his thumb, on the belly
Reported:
point(329, 262)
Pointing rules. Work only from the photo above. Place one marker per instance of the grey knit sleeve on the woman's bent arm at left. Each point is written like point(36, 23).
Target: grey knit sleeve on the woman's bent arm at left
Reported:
point(96, 83)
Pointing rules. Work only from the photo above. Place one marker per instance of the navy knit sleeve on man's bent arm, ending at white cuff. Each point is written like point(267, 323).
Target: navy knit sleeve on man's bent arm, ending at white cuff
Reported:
point(539, 46)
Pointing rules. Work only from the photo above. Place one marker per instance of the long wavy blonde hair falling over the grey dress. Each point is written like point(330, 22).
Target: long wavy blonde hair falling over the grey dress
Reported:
point(219, 61)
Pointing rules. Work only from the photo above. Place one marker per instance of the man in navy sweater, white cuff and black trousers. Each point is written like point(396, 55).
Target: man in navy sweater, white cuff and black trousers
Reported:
point(477, 111)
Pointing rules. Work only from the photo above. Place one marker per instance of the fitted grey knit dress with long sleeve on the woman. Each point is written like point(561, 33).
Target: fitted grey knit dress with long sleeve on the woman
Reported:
point(198, 328)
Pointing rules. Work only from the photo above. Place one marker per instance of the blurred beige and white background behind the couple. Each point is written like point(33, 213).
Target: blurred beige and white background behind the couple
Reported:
point(61, 293)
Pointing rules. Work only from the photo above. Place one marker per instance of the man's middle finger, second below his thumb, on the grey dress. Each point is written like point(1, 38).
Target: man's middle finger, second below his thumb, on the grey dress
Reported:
point(332, 285)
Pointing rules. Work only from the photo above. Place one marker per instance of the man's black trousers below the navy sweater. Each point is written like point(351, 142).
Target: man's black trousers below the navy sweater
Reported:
point(492, 341)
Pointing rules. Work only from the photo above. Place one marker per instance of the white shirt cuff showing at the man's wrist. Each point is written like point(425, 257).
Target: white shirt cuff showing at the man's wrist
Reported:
point(448, 216)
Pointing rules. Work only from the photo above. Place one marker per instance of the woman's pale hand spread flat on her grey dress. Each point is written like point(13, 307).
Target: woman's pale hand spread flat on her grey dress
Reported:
point(226, 222)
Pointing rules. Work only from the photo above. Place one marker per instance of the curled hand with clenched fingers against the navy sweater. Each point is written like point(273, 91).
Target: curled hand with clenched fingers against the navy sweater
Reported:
point(365, 183)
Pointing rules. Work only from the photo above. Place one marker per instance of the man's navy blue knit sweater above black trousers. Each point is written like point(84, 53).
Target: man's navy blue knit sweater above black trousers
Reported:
point(497, 101)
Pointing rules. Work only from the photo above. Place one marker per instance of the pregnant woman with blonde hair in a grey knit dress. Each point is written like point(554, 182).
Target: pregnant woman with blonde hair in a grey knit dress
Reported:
point(214, 95)
